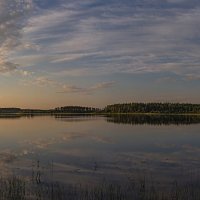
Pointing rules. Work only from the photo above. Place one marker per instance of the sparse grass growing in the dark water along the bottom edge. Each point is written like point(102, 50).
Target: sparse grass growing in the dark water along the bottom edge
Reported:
point(18, 188)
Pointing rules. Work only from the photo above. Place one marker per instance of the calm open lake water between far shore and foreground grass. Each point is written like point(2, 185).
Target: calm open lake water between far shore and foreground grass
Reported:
point(89, 149)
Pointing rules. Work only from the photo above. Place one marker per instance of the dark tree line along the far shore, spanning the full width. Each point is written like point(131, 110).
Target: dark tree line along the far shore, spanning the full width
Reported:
point(160, 108)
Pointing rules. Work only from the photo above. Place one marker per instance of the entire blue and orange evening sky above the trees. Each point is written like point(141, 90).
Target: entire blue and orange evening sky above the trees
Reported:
point(98, 52)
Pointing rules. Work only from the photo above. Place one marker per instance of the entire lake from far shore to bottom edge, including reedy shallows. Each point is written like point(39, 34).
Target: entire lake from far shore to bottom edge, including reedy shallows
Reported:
point(100, 157)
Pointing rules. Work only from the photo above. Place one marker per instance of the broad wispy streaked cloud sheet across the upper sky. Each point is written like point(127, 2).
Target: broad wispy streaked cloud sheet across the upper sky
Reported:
point(140, 37)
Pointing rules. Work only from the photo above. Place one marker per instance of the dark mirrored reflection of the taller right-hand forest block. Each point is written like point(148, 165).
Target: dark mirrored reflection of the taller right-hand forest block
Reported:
point(154, 119)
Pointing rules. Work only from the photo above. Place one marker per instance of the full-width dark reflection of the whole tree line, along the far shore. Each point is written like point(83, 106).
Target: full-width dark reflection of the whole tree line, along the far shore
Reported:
point(154, 119)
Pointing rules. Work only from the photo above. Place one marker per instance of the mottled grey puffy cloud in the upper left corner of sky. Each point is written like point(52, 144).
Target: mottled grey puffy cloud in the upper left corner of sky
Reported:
point(11, 13)
